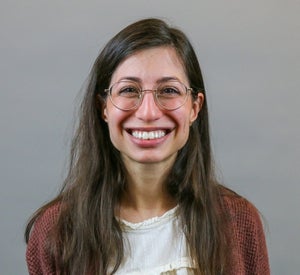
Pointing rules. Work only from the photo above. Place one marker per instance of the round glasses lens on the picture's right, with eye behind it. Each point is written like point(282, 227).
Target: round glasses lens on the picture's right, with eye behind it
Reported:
point(171, 95)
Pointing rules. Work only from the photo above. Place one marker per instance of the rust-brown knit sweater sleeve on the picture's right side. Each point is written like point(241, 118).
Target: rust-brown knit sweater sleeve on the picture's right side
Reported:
point(248, 238)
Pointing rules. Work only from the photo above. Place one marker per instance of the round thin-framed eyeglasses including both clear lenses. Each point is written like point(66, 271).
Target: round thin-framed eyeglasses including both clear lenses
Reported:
point(128, 95)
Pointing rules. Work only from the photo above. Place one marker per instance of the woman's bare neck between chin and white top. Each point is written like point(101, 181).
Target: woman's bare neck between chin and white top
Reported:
point(146, 195)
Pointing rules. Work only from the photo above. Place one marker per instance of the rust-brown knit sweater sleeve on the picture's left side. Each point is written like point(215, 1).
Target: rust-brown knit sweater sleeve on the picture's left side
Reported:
point(38, 257)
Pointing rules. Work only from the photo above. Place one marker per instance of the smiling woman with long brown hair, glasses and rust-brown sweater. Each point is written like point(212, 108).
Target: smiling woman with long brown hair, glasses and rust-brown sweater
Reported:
point(141, 195)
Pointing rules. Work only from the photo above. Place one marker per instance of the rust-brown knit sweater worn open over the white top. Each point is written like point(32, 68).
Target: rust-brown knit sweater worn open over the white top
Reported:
point(248, 245)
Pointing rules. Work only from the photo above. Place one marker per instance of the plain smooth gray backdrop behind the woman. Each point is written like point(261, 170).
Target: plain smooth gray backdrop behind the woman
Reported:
point(249, 52)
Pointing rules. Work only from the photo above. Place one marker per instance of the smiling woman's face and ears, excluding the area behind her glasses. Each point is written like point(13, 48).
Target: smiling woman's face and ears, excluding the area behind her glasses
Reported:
point(150, 134)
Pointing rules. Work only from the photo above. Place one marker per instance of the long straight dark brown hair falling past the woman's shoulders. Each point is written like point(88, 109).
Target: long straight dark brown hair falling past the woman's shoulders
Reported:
point(87, 237)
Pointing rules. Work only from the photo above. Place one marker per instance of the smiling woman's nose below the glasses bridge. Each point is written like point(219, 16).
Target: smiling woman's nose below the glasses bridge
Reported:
point(148, 110)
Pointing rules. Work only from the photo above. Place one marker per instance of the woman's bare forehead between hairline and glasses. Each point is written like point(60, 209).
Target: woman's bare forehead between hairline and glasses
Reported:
point(150, 65)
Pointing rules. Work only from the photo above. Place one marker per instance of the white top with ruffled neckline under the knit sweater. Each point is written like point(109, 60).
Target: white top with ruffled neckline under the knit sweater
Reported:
point(155, 246)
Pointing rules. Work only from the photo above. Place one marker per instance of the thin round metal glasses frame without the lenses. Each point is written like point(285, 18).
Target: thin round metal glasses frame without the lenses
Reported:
point(142, 92)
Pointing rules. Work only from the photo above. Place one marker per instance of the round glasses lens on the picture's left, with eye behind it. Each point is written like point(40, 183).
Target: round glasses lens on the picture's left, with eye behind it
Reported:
point(125, 95)
